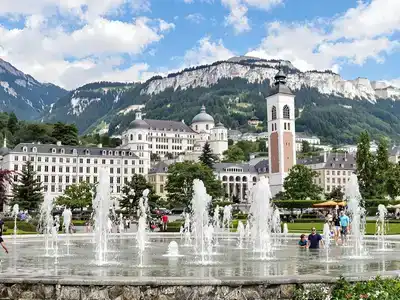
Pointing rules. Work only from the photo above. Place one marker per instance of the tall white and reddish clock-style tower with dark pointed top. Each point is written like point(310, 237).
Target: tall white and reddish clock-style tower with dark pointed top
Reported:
point(281, 128)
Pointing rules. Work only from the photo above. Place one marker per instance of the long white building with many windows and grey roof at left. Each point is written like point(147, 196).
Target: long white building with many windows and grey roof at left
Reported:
point(58, 166)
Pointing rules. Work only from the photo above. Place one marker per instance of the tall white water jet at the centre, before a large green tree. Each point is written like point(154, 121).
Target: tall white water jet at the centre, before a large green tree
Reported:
point(200, 203)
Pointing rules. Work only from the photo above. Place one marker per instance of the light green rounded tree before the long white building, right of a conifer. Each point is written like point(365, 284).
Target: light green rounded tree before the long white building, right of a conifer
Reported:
point(78, 195)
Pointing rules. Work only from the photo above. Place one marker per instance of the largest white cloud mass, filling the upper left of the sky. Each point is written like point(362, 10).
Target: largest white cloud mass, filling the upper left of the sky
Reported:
point(87, 47)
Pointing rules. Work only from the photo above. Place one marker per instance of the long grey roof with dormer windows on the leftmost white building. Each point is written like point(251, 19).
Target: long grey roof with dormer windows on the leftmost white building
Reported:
point(80, 151)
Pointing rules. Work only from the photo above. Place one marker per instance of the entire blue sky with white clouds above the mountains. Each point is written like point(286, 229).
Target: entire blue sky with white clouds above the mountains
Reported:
point(74, 42)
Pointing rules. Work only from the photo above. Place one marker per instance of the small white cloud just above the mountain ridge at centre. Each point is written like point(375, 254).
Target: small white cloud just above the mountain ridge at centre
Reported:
point(206, 52)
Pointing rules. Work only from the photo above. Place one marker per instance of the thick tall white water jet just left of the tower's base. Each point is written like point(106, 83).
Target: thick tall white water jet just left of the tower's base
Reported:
point(259, 218)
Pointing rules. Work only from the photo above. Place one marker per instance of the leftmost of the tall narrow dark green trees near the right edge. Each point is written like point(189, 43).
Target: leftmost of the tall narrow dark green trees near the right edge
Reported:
point(365, 167)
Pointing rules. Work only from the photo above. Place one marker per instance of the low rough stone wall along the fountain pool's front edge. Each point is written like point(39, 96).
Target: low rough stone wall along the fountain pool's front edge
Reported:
point(36, 291)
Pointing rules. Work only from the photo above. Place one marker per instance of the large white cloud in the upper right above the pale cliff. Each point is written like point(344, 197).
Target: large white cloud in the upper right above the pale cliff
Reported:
point(315, 45)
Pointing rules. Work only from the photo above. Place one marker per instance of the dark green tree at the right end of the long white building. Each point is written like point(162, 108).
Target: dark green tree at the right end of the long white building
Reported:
point(133, 190)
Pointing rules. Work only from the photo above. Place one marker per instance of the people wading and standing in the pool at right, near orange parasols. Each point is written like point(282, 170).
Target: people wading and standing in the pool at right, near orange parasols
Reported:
point(339, 227)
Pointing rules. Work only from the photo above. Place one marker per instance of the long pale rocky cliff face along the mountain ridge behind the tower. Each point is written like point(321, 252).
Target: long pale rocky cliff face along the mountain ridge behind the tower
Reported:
point(259, 70)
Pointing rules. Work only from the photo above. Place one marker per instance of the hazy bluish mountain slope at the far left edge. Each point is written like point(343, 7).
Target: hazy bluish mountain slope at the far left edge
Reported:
point(23, 95)
